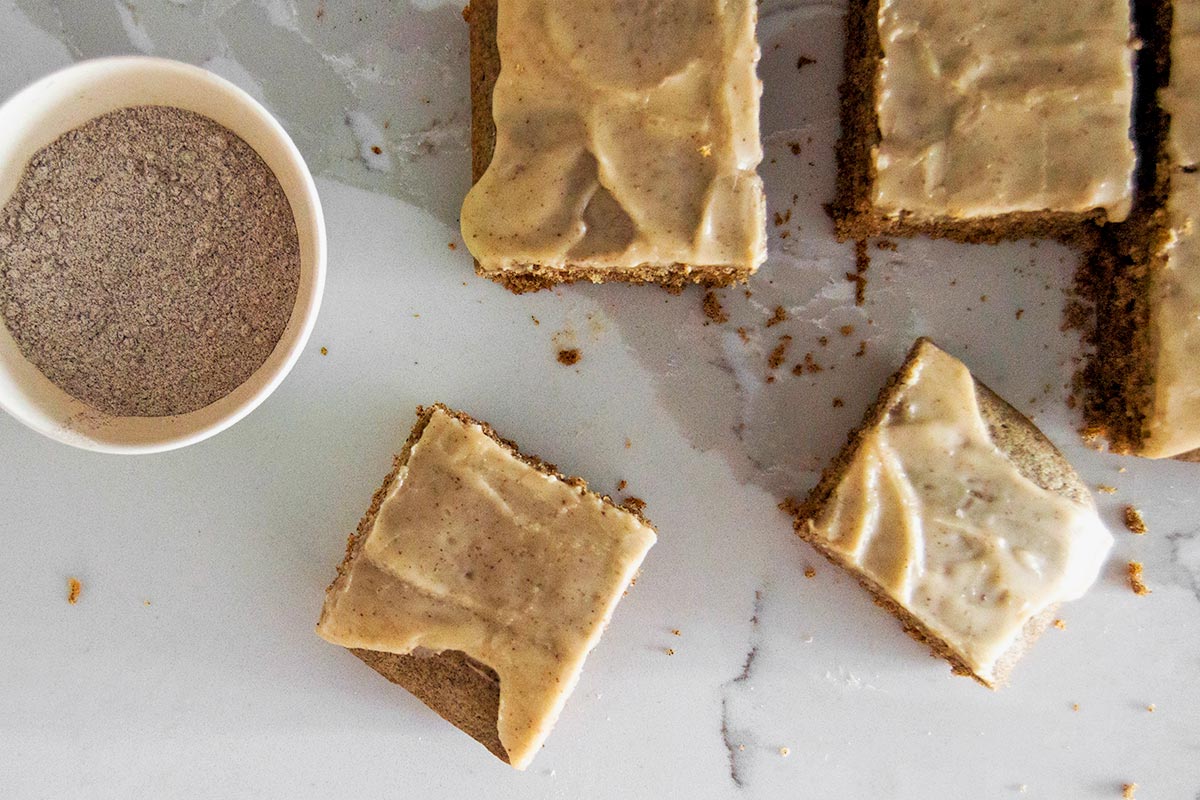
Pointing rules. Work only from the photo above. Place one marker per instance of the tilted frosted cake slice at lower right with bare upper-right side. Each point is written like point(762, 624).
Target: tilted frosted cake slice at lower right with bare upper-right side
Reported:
point(958, 515)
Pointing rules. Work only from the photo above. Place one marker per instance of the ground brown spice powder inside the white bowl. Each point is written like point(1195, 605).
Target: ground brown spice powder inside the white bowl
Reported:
point(149, 262)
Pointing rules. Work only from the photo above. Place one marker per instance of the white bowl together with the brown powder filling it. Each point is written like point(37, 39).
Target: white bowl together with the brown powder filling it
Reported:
point(163, 255)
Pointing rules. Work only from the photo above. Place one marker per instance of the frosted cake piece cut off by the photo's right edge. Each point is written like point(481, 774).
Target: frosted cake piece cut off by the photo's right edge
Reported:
point(1144, 377)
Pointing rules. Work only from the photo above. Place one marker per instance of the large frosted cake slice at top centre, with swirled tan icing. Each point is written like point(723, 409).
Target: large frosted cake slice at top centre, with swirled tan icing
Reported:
point(615, 142)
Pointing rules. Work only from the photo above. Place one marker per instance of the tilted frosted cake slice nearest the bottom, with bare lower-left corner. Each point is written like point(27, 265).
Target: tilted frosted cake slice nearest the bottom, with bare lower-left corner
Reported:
point(481, 579)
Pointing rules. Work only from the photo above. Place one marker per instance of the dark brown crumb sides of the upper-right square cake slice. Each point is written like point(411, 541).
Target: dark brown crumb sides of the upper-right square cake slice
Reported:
point(854, 210)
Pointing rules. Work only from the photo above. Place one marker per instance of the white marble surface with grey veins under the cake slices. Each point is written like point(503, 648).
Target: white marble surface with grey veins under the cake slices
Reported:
point(190, 669)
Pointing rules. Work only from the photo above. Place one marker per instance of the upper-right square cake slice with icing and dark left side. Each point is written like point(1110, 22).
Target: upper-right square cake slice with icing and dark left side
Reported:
point(986, 122)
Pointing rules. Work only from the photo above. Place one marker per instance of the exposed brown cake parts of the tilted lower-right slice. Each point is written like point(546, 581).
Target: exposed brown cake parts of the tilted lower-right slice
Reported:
point(1022, 443)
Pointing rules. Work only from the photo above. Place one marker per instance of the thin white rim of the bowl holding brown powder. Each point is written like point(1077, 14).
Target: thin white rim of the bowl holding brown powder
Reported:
point(61, 429)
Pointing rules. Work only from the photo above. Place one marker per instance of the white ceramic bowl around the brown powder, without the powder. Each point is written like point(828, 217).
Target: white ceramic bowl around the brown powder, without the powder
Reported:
point(63, 101)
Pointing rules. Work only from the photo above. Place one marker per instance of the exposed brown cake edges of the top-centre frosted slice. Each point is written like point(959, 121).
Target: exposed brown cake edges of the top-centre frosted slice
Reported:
point(485, 69)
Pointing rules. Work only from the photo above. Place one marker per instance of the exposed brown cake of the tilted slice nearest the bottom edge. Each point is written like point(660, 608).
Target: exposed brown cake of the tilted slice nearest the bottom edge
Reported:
point(463, 691)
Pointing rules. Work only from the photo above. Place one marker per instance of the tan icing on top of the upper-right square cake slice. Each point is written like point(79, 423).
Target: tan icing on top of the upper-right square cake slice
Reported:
point(999, 107)
